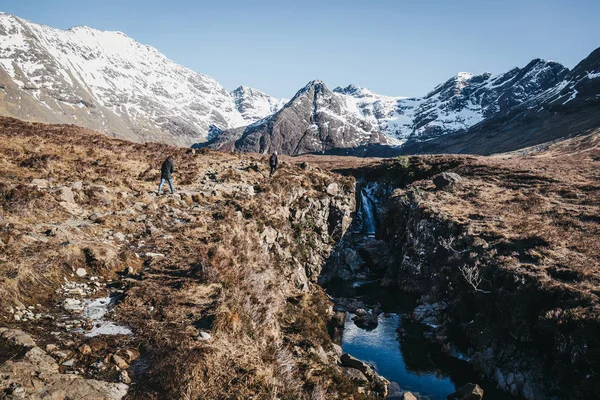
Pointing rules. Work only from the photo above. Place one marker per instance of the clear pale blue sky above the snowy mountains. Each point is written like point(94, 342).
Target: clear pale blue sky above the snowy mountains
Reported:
point(393, 47)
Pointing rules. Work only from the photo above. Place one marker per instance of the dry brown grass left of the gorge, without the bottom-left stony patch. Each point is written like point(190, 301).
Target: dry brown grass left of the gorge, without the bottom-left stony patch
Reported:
point(217, 273)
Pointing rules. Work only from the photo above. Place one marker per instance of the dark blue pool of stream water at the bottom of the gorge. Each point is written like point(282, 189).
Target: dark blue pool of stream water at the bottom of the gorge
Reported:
point(398, 350)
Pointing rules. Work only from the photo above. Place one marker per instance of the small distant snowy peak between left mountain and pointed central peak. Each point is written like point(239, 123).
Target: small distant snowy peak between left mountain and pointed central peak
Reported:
point(254, 104)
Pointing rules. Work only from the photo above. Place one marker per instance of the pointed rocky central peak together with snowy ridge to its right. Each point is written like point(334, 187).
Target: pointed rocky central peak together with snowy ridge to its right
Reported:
point(318, 120)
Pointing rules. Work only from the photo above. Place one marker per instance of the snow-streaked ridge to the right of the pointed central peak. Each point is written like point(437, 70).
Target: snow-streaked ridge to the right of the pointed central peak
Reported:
point(457, 104)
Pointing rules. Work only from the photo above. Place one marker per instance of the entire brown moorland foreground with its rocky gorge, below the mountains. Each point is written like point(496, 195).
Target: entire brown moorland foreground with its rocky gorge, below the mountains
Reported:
point(217, 292)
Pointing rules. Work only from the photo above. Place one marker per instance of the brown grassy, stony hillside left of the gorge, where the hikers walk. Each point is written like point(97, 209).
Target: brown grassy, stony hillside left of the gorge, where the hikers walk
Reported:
point(216, 283)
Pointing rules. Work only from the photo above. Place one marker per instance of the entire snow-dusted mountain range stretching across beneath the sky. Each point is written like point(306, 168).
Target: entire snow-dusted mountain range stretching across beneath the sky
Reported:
point(109, 82)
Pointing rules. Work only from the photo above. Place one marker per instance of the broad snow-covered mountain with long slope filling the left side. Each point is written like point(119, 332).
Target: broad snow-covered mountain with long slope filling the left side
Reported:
point(108, 82)
